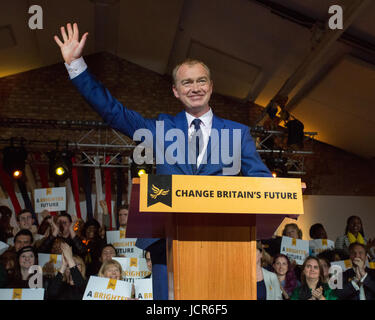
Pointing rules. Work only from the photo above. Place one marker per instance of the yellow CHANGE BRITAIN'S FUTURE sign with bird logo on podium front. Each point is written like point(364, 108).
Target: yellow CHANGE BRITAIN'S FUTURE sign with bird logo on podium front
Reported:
point(220, 194)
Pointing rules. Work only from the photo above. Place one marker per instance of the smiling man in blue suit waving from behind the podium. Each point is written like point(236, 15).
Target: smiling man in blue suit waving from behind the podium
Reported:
point(224, 147)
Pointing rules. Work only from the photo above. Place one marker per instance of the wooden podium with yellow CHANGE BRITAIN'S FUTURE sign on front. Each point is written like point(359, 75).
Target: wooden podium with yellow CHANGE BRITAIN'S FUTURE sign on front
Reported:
point(211, 224)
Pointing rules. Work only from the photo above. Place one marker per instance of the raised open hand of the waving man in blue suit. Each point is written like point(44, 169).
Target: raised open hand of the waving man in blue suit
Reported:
point(71, 48)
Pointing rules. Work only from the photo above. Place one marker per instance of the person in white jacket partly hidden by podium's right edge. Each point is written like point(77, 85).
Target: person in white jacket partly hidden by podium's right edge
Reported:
point(268, 286)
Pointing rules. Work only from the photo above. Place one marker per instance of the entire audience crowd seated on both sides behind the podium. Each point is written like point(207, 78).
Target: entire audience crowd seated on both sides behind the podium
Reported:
point(85, 252)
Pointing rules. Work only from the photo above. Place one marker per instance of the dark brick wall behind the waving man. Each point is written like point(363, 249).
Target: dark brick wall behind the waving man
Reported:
point(47, 93)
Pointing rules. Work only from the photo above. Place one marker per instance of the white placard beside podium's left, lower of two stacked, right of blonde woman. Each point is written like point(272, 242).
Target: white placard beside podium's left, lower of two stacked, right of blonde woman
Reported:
point(133, 268)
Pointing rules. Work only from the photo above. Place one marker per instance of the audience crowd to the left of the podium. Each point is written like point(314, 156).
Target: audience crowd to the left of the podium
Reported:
point(82, 245)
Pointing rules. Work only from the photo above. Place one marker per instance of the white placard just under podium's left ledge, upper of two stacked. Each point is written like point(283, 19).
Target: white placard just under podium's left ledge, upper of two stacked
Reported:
point(125, 247)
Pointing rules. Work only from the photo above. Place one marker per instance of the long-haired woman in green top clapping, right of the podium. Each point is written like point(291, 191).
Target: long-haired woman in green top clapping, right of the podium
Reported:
point(312, 285)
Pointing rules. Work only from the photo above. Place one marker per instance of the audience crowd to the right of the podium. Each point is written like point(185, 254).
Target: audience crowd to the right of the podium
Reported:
point(280, 278)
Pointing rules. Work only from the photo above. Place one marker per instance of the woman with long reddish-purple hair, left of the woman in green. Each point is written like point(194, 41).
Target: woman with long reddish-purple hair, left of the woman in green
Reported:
point(285, 274)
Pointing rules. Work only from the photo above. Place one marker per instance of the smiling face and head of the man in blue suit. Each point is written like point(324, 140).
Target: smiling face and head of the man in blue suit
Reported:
point(193, 87)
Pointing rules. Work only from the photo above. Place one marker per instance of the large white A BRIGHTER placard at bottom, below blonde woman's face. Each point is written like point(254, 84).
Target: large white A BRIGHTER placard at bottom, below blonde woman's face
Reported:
point(107, 289)
